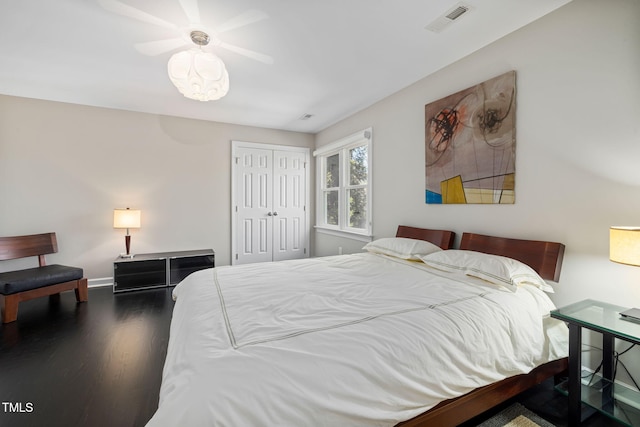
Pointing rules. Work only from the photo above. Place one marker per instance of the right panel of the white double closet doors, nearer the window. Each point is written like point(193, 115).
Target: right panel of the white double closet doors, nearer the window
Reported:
point(289, 200)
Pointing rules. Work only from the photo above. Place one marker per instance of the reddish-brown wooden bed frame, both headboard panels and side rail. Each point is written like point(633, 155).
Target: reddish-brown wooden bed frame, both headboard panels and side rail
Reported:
point(543, 257)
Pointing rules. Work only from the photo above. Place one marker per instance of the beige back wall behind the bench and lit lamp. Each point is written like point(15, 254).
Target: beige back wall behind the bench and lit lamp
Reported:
point(64, 168)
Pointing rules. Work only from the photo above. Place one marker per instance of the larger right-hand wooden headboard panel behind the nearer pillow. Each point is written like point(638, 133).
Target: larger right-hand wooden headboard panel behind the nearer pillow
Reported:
point(544, 257)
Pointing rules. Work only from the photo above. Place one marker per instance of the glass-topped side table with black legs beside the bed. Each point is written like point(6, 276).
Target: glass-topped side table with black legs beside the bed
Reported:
point(603, 395)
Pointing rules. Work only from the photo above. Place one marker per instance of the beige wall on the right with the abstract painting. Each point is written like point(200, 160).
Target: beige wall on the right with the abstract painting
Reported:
point(578, 145)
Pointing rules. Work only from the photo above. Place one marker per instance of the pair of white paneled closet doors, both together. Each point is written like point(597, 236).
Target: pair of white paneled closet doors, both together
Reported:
point(269, 190)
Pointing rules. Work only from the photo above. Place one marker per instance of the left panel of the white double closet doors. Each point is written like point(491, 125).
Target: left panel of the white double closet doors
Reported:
point(254, 196)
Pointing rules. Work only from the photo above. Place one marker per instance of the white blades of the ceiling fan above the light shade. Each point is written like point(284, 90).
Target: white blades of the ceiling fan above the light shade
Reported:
point(184, 34)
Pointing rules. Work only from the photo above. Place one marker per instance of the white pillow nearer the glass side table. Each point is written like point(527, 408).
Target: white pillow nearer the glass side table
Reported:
point(496, 269)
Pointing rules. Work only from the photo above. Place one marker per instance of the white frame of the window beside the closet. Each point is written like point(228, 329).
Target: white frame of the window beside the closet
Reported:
point(342, 147)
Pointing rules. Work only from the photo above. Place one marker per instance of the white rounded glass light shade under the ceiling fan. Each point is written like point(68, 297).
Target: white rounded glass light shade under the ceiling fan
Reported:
point(199, 75)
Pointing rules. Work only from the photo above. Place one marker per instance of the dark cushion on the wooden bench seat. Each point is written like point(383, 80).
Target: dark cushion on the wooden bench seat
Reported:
point(12, 282)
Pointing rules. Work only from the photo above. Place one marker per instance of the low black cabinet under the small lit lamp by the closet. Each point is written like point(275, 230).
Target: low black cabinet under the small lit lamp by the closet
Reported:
point(154, 270)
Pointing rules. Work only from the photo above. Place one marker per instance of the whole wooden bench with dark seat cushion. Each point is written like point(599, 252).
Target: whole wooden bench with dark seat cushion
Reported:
point(44, 280)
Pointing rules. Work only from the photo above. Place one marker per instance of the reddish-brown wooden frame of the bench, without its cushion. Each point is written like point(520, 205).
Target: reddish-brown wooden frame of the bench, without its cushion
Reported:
point(35, 245)
